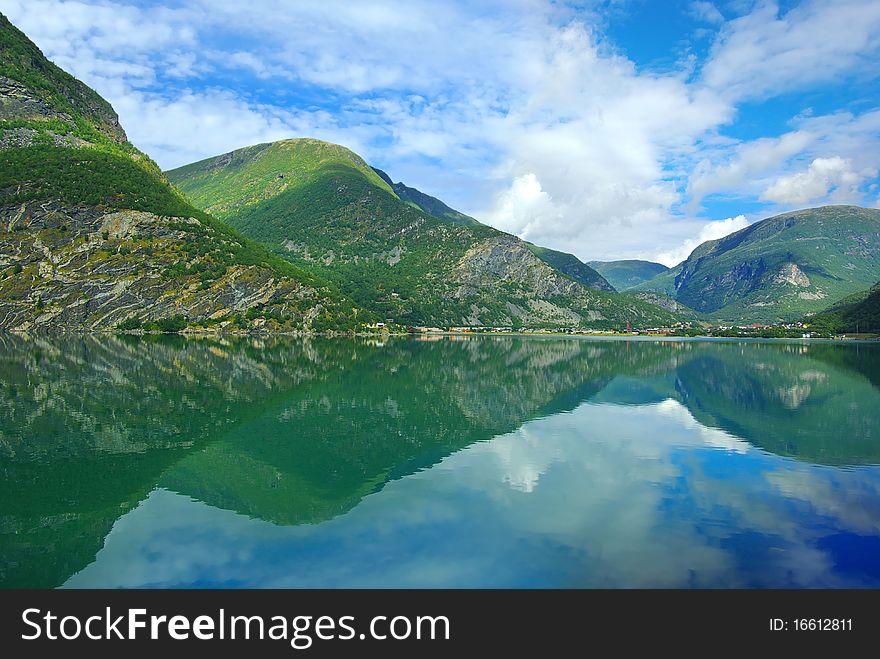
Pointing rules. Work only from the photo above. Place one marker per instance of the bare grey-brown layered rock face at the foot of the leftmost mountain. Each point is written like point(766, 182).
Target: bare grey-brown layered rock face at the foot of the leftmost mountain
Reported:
point(83, 268)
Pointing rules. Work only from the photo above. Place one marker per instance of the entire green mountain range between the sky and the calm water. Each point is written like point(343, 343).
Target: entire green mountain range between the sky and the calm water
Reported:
point(305, 236)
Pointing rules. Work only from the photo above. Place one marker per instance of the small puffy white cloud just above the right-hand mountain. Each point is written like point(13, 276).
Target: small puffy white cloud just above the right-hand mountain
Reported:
point(817, 181)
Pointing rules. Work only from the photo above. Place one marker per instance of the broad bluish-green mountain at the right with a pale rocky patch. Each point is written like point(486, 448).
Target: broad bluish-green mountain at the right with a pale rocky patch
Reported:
point(780, 268)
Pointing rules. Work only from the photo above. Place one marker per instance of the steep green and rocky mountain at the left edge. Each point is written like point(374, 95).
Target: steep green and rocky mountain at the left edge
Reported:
point(92, 235)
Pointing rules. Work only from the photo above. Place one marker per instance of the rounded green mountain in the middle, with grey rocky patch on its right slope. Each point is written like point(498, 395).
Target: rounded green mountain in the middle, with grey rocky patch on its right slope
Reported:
point(325, 209)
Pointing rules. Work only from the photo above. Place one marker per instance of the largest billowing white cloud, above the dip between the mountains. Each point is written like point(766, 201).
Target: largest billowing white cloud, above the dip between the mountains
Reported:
point(597, 135)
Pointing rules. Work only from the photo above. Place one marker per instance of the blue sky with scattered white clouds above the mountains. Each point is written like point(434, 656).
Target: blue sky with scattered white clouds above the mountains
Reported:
point(606, 128)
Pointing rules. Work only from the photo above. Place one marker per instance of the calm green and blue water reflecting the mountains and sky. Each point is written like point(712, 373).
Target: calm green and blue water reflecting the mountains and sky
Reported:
point(496, 462)
